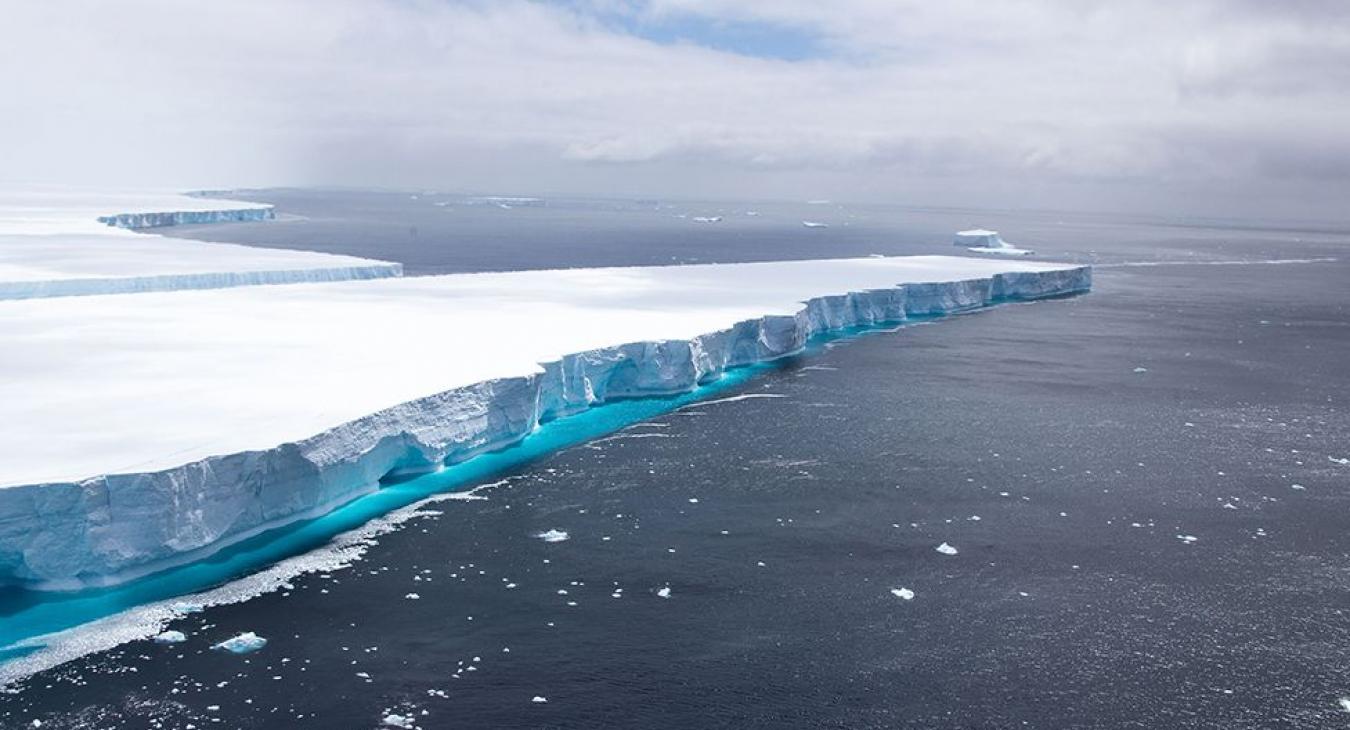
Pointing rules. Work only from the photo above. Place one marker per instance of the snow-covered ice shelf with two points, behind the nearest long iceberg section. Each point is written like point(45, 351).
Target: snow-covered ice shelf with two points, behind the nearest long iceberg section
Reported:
point(61, 242)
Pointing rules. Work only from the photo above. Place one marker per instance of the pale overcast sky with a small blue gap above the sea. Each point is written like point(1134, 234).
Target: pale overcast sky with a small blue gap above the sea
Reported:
point(1202, 107)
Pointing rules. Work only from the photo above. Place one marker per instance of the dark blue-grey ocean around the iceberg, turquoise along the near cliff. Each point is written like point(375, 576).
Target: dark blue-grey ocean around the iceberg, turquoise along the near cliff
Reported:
point(1148, 490)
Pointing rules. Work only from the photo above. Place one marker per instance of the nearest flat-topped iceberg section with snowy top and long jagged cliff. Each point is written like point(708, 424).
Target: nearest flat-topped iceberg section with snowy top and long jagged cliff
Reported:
point(138, 431)
